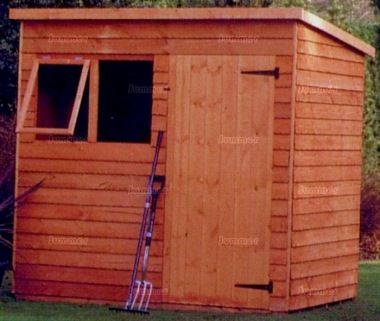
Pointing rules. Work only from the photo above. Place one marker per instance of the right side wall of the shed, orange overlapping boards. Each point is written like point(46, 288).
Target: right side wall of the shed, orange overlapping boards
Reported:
point(327, 171)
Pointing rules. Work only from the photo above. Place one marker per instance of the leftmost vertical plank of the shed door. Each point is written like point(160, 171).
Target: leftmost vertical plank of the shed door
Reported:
point(181, 66)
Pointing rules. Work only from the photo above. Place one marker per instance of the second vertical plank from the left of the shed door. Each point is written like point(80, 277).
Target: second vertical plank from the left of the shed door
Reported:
point(195, 199)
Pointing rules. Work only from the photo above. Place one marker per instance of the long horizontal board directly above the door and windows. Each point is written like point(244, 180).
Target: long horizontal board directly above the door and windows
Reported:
point(160, 46)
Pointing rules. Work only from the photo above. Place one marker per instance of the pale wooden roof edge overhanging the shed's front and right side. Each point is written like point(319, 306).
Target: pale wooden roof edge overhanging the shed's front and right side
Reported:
point(293, 14)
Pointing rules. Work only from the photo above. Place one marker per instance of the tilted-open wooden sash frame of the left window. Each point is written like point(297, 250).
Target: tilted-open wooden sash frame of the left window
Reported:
point(69, 130)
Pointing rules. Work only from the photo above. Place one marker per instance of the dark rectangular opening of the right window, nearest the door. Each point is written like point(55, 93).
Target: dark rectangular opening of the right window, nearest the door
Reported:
point(125, 101)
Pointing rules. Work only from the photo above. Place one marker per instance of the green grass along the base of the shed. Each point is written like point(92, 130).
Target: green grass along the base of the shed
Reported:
point(365, 308)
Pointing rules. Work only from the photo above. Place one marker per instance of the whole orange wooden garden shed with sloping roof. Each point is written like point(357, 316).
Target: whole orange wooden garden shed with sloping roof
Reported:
point(262, 114)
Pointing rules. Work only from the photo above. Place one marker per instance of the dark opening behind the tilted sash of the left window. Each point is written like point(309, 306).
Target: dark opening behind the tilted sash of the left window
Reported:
point(57, 89)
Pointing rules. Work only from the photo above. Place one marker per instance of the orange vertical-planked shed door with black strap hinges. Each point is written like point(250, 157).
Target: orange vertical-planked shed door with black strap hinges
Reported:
point(219, 163)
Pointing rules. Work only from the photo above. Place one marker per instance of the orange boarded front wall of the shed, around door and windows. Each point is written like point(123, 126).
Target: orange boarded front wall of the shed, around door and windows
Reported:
point(86, 190)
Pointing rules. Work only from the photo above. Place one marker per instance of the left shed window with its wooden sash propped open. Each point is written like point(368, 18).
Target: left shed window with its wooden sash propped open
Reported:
point(62, 98)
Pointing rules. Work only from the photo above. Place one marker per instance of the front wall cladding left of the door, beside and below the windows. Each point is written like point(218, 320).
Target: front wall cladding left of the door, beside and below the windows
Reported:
point(89, 193)
